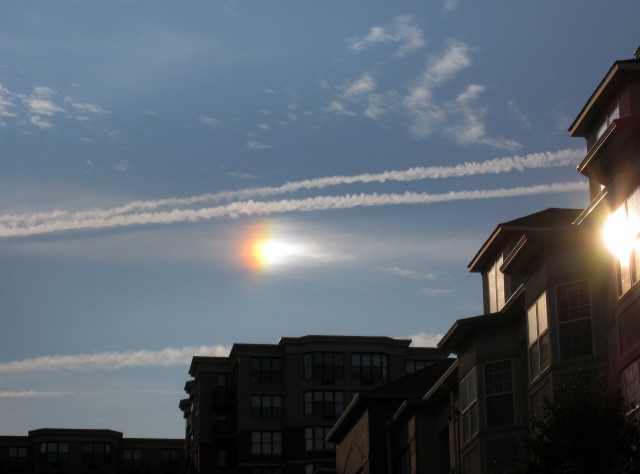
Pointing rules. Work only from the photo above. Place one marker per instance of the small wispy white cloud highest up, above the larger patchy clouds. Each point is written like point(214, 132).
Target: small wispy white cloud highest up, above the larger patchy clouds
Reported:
point(403, 30)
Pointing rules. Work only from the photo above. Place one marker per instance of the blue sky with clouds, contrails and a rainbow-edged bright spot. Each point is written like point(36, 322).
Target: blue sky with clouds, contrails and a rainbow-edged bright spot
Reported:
point(179, 176)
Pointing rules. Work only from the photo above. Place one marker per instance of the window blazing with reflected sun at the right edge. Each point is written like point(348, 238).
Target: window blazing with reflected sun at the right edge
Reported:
point(627, 217)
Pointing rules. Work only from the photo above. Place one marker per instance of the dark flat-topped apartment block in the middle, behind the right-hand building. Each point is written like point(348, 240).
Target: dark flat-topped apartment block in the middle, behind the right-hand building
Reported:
point(267, 408)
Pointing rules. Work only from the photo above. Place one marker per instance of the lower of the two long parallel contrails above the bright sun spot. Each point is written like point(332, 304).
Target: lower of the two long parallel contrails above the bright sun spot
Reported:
point(263, 208)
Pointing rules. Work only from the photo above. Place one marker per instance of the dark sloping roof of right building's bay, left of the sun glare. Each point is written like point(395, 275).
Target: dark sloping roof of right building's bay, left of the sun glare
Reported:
point(546, 219)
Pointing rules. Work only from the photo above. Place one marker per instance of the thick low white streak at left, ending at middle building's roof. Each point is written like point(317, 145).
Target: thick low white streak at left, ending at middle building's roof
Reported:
point(112, 360)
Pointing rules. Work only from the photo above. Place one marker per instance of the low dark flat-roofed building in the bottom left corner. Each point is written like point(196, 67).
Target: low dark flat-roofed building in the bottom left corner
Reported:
point(101, 451)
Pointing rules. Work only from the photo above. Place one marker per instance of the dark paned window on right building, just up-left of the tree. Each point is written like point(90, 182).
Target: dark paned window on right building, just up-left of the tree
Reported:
point(498, 391)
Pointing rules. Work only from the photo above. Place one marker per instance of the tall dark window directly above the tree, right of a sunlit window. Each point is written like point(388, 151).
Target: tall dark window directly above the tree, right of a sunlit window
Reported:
point(574, 320)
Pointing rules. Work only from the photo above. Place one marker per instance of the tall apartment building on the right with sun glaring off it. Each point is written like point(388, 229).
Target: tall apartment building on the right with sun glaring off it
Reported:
point(556, 301)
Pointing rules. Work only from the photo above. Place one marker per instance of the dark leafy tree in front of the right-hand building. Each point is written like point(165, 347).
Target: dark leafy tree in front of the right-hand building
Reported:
point(583, 430)
